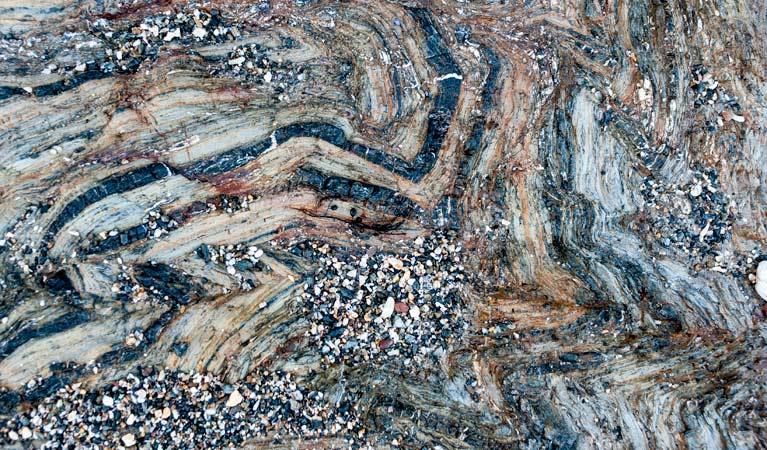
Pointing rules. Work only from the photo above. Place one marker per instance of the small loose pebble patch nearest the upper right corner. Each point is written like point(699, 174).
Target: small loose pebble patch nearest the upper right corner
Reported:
point(713, 101)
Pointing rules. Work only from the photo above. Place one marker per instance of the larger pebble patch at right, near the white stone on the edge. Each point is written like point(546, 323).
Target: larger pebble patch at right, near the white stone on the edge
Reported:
point(694, 217)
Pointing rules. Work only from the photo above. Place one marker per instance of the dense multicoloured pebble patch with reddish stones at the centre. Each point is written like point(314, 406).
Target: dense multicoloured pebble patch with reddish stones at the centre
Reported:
point(386, 305)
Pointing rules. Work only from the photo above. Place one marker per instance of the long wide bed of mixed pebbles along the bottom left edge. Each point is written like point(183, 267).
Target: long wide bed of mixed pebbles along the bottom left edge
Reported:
point(172, 409)
